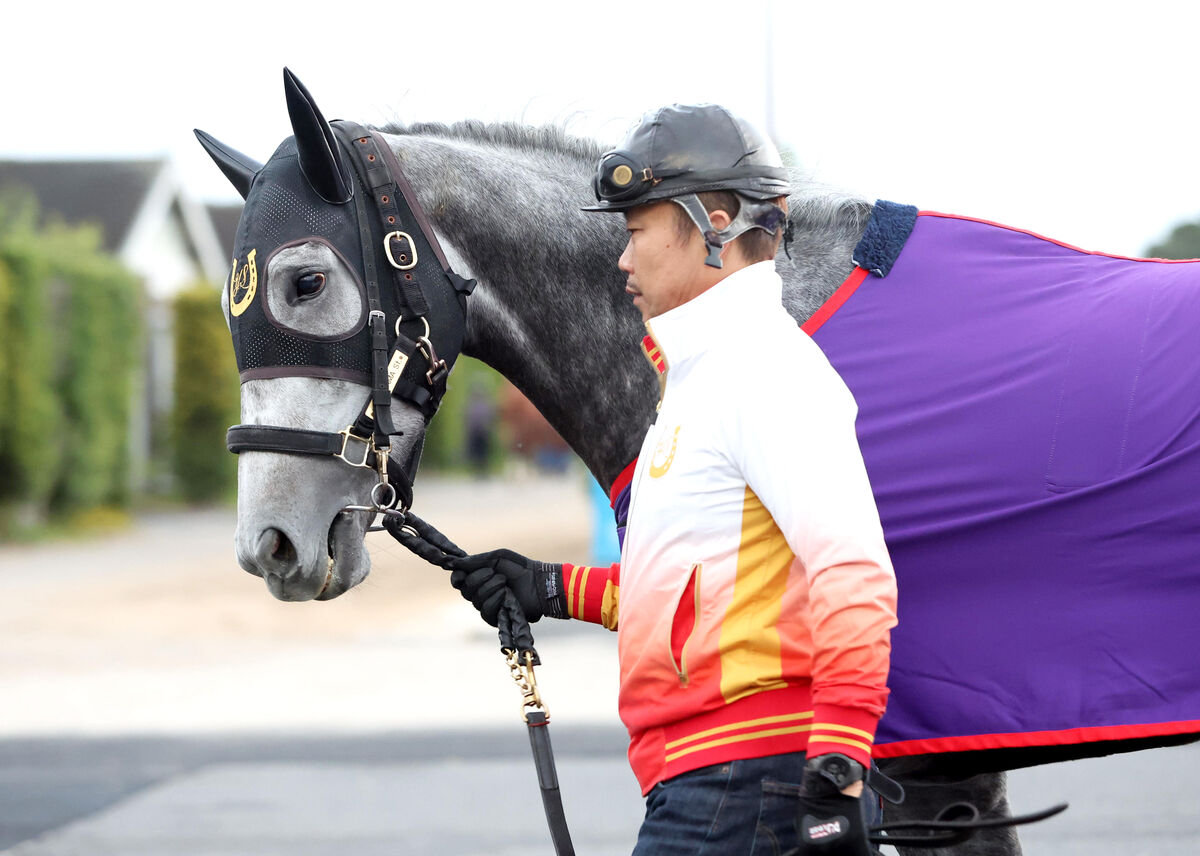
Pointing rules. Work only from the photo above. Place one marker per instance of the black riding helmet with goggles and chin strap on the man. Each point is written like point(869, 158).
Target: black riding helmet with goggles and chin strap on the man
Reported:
point(681, 151)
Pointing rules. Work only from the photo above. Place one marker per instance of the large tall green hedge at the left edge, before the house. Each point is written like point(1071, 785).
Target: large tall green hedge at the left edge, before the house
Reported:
point(70, 334)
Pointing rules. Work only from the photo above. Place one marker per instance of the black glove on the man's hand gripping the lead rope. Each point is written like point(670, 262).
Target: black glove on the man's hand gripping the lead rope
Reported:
point(483, 579)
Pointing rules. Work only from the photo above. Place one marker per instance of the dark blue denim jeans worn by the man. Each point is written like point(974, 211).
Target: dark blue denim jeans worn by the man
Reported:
point(740, 809)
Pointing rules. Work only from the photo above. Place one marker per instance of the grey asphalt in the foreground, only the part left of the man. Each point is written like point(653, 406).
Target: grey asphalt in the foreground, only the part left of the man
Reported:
point(435, 794)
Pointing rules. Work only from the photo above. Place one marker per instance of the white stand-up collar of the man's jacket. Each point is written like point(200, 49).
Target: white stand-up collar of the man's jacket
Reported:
point(691, 328)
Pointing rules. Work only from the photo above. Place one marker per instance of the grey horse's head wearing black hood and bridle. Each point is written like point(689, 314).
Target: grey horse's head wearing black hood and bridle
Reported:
point(337, 297)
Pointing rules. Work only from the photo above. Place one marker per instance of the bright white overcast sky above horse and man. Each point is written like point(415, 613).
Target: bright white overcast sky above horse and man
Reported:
point(1077, 121)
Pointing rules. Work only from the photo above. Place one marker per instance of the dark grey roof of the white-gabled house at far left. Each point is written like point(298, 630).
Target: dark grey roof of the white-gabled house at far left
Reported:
point(107, 194)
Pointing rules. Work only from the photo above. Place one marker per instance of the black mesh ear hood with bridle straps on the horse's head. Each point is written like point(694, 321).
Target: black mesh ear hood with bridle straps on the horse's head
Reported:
point(340, 185)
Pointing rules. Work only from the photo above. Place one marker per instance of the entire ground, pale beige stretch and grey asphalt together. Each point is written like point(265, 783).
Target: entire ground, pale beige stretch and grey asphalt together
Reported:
point(154, 699)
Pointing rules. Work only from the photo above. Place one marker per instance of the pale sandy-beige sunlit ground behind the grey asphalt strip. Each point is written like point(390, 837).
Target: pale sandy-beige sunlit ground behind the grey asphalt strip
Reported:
point(158, 631)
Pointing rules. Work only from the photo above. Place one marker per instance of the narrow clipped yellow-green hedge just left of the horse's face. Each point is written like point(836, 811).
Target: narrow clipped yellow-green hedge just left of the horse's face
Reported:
point(206, 397)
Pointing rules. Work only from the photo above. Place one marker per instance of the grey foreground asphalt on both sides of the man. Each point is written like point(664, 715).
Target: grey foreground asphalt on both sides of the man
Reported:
point(463, 794)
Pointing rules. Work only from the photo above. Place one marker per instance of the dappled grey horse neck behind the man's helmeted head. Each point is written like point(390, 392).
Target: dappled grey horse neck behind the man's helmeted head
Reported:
point(550, 313)
